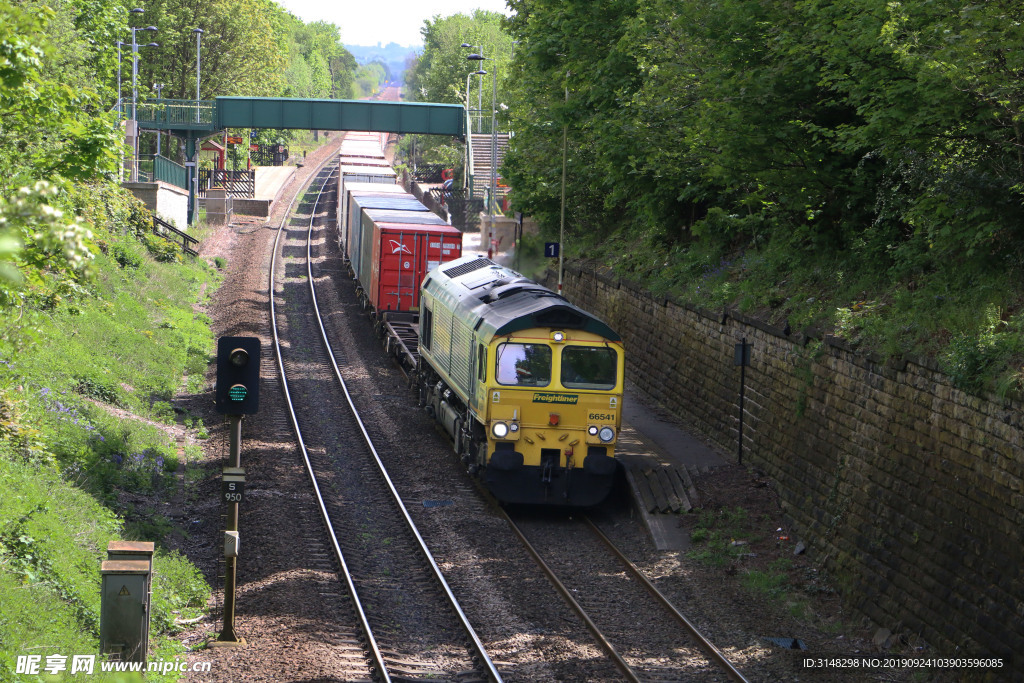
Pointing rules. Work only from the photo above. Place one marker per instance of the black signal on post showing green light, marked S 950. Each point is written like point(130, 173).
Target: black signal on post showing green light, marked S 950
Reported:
point(237, 396)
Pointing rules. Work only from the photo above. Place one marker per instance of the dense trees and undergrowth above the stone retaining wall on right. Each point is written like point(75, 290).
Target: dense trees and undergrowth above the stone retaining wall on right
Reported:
point(854, 167)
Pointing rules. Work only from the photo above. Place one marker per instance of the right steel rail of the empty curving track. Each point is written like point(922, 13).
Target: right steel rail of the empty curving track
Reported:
point(478, 644)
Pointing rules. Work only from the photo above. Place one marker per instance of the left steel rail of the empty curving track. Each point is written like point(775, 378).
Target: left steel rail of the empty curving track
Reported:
point(378, 659)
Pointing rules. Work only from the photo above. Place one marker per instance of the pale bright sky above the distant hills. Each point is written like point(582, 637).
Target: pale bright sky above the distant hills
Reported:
point(372, 22)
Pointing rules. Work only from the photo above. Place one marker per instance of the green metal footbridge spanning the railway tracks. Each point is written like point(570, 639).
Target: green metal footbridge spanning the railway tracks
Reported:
point(194, 120)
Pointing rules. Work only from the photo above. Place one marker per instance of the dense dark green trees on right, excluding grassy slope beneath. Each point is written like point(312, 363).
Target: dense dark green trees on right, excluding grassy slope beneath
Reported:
point(867, 125)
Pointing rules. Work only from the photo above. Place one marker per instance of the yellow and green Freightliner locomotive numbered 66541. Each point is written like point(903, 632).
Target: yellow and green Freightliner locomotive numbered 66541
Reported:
point(529, 387)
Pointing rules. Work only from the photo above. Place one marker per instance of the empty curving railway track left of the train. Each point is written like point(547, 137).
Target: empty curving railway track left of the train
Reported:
point(412, 626)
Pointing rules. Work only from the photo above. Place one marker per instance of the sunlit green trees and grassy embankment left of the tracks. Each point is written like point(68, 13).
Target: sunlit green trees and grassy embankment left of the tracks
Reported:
point(97, 333)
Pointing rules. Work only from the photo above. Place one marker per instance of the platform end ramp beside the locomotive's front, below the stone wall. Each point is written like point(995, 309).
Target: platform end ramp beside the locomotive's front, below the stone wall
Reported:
point(662, 460)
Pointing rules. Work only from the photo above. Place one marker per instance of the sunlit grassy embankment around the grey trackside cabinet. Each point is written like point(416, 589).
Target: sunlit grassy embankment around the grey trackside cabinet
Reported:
point(86, 392)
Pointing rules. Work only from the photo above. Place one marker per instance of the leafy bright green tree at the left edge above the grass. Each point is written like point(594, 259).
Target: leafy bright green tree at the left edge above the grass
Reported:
point(52, 133)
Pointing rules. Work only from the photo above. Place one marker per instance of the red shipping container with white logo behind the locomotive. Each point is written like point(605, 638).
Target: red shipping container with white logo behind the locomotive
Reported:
point(403, 255)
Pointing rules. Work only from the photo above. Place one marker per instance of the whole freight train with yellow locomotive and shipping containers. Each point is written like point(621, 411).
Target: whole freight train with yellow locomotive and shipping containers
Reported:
point(529, 387)
